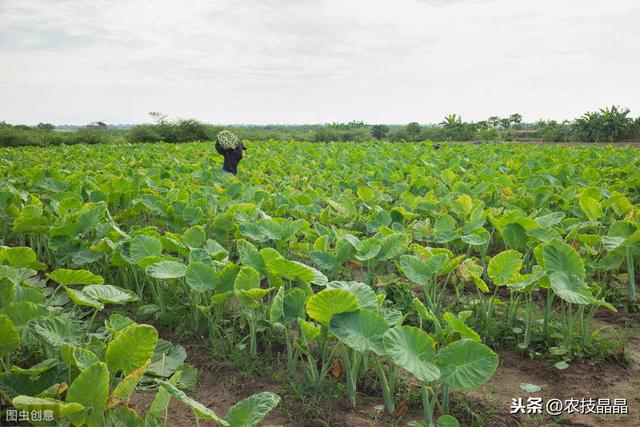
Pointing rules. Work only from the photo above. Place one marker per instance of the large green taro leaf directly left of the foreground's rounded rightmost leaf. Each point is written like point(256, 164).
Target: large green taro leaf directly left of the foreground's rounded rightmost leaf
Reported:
point(413, 350)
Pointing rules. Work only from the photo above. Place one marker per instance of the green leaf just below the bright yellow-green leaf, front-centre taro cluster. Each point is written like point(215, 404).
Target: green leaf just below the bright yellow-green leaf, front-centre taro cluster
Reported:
point(360, 330)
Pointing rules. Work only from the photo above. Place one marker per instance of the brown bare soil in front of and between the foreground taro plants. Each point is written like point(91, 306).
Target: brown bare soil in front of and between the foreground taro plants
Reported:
point(220, 387)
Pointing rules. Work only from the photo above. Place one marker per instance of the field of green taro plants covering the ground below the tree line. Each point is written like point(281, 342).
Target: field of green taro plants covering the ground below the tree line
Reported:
point(326, 284)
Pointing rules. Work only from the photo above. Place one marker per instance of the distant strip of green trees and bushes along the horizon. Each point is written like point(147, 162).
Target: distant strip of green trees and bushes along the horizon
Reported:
point(610, 124)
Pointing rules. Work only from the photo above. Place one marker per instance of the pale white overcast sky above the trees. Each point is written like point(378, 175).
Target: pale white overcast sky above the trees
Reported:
point(315, 61)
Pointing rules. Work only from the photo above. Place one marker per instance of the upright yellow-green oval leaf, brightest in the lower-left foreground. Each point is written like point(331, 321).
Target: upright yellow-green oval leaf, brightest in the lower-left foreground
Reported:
point(131, 348)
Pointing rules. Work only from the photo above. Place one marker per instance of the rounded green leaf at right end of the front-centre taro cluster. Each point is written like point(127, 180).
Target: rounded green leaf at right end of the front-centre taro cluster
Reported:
point(466, 364)
